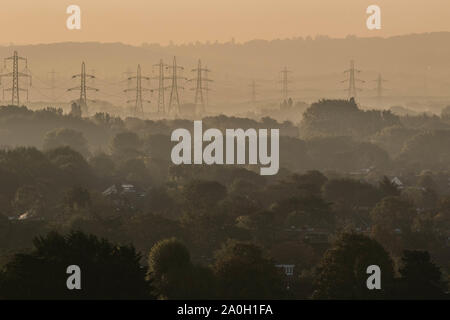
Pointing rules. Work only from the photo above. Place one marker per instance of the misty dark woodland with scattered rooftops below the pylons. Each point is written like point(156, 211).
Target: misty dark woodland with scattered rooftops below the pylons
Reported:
point(355, 188)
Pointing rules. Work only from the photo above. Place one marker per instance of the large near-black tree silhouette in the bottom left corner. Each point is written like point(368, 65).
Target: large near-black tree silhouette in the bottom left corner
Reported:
point(108, 271)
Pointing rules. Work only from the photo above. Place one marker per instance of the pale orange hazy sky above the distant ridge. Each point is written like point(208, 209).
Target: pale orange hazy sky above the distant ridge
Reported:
point(183, 21)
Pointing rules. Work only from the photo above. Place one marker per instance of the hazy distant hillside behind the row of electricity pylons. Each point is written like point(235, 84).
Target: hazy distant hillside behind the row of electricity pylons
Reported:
point(415, 65)
